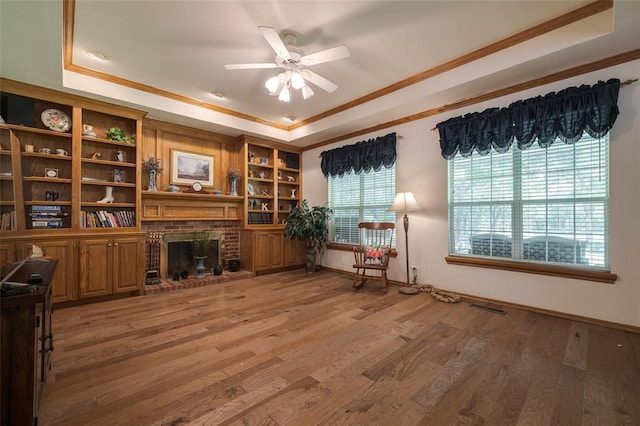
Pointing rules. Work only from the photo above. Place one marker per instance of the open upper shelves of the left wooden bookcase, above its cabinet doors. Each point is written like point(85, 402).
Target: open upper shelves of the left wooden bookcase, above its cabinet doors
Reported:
point(68, 163)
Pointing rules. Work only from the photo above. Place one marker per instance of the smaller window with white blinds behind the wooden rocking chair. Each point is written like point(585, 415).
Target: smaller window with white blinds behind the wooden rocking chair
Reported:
point(363, 197)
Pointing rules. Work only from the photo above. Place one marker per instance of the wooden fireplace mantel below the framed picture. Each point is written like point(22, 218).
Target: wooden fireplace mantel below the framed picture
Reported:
point(157, 206)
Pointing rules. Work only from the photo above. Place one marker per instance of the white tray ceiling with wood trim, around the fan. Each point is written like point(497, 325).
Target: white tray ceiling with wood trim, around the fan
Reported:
point(180, 47)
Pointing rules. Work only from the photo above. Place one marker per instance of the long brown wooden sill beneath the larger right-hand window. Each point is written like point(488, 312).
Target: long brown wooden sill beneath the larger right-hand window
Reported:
point(534, 268)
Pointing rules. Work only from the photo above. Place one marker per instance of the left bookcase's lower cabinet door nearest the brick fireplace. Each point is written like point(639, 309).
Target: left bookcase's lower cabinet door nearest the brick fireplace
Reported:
point(128, 264)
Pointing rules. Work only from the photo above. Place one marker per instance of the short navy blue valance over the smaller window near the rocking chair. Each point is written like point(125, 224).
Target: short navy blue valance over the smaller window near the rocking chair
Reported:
point(365, 155)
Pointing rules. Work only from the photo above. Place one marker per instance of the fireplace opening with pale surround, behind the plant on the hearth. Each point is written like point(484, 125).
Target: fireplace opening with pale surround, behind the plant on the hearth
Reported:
point(176, 252)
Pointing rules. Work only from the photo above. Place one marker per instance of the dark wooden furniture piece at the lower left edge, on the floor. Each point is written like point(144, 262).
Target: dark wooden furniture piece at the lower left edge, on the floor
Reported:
point(26, 341)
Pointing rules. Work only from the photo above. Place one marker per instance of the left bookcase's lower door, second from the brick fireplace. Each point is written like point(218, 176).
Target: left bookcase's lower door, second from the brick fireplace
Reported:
point(95, 267)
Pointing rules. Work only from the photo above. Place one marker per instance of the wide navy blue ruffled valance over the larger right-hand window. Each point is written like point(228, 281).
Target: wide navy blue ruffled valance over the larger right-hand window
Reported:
point(563, 115)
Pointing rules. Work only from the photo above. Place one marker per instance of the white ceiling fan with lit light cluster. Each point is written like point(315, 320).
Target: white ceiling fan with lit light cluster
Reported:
point(294, 62)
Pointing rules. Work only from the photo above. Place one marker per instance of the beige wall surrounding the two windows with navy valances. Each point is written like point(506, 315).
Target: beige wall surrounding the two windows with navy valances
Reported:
point(422, 170)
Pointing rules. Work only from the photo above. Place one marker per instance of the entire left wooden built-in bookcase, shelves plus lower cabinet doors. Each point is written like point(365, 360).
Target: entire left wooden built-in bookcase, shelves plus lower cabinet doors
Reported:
point(70, 184)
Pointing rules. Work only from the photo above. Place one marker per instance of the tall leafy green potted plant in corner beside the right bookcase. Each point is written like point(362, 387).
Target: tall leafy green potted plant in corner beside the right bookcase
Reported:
point(310, 224)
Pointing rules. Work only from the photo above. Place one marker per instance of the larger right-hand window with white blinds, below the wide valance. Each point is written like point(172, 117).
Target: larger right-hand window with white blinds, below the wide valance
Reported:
point(541, 205)
